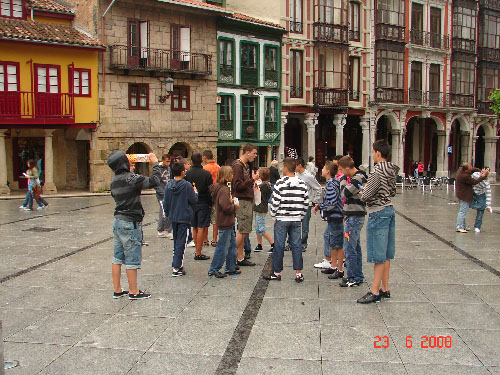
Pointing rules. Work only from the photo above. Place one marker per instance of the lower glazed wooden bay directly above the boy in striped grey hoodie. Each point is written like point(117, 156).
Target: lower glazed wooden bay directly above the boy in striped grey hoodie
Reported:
point(389, 65)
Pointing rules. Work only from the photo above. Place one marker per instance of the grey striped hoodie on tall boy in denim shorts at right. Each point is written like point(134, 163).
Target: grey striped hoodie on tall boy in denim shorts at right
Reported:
point(380, 187)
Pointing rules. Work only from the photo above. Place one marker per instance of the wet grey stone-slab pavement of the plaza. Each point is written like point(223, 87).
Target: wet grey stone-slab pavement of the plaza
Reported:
point(59, 317)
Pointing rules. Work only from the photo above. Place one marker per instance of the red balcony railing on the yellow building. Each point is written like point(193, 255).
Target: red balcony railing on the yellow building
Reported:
point(25, 107)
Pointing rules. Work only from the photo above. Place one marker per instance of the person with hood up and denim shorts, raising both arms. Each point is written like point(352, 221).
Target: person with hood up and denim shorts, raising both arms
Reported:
point(127, 227)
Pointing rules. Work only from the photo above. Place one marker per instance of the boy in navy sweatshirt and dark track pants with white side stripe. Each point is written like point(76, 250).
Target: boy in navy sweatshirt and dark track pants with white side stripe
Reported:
point(178, 203)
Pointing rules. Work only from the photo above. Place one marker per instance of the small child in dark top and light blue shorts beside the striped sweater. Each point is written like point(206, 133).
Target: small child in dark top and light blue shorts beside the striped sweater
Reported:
point(260, 210)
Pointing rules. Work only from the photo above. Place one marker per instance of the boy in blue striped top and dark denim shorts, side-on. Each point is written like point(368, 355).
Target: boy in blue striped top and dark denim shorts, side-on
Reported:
point(331, 209)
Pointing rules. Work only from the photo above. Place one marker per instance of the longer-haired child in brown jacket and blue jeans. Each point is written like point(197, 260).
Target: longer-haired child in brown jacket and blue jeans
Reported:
point(225, 213)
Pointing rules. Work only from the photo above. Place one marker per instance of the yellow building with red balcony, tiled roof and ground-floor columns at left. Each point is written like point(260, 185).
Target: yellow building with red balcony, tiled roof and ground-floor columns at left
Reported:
point(48, 95)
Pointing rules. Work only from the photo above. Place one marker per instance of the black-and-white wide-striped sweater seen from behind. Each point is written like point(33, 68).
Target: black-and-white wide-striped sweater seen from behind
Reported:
point(290, 199)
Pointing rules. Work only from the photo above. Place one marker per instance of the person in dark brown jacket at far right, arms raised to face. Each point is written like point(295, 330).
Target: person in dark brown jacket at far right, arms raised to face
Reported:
point(464, 193)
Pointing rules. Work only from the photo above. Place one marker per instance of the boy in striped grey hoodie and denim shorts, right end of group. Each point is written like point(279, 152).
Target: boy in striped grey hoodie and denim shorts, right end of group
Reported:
point(381, 226)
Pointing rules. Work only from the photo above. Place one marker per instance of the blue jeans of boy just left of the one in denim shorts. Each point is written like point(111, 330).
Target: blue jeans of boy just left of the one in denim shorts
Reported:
point(352, 247)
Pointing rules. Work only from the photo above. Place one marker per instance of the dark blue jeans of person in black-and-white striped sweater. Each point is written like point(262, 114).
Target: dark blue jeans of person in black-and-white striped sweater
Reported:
point(281, 230)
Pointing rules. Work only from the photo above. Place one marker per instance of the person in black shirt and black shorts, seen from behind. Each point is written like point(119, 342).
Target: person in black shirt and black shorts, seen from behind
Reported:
point(201, 180)
